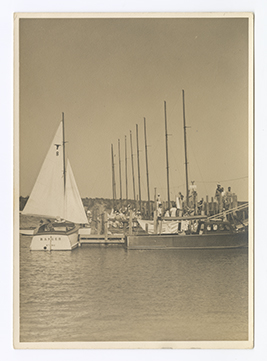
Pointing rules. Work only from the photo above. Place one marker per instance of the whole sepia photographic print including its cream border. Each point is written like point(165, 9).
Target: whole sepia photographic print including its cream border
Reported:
point(133, 201)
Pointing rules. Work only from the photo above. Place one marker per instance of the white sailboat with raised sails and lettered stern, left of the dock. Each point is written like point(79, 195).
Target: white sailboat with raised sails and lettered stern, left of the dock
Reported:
point(55, 197)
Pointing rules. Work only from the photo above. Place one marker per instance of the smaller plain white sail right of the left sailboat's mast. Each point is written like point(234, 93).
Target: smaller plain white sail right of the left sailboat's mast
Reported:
point(74, 210)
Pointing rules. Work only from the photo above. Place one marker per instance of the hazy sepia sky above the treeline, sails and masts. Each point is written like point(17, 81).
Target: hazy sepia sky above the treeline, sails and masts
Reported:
point(106, 75)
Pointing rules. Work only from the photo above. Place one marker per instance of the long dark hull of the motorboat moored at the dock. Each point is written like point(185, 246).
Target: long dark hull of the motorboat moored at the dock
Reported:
point(193, 241)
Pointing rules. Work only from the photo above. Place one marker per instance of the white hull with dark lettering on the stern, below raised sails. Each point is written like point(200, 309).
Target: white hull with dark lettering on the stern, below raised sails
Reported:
point(55, 241)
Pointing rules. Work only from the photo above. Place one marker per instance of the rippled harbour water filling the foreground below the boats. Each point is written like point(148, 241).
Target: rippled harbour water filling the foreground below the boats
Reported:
point(106, 293)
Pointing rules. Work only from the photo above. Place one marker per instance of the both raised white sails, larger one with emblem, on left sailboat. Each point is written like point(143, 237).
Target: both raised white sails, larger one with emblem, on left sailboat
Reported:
point(48, 197)
